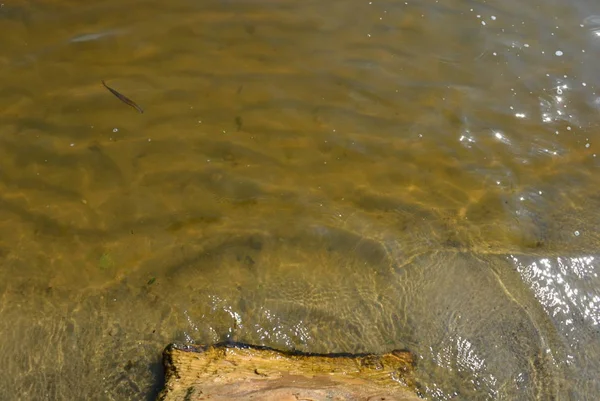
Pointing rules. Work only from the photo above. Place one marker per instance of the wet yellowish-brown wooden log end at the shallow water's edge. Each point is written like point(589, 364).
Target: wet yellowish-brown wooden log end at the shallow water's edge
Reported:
point(233, 371)
